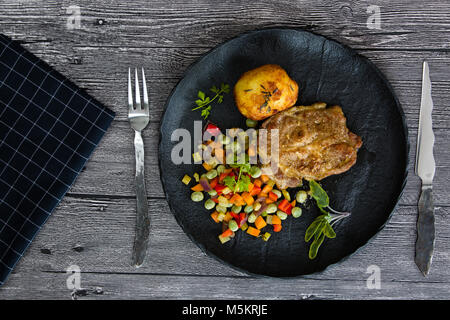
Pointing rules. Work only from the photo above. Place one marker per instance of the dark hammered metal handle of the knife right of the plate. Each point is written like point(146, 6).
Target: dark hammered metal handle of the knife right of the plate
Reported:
point(425, 230)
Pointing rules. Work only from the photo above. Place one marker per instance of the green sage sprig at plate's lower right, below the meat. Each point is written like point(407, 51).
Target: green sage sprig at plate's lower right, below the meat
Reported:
point(322, 226)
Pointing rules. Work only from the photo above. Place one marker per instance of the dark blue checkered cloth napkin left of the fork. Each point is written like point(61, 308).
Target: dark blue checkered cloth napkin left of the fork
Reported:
point(48, 130)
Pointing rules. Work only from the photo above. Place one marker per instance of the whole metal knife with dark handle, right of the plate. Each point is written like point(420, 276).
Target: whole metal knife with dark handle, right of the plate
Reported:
point(425, 168)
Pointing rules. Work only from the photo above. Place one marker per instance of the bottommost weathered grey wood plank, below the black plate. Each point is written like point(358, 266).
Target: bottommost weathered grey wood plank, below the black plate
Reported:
point(134, 286)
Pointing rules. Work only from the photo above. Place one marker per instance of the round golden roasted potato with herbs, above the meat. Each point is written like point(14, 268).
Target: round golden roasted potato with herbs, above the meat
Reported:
point(264, 91)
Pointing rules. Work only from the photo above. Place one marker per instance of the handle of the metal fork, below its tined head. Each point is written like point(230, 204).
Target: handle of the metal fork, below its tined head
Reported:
point(142, 219)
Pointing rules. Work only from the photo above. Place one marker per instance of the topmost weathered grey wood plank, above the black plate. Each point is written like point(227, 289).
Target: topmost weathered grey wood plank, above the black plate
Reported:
point(205, 23)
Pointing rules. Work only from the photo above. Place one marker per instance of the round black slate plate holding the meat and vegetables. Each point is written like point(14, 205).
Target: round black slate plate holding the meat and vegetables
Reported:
point(325, 71)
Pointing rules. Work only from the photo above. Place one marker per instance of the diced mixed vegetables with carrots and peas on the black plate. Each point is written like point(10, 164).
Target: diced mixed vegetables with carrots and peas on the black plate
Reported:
point(239, 196)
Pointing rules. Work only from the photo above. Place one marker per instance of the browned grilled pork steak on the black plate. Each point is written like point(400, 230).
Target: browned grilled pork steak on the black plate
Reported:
point(314, 143)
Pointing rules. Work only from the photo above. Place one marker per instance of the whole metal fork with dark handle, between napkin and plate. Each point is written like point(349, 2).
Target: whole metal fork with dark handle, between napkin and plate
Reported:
point(138, 116)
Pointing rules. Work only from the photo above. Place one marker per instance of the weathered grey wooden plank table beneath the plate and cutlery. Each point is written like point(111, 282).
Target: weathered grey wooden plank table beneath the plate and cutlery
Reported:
point(93, 227)
